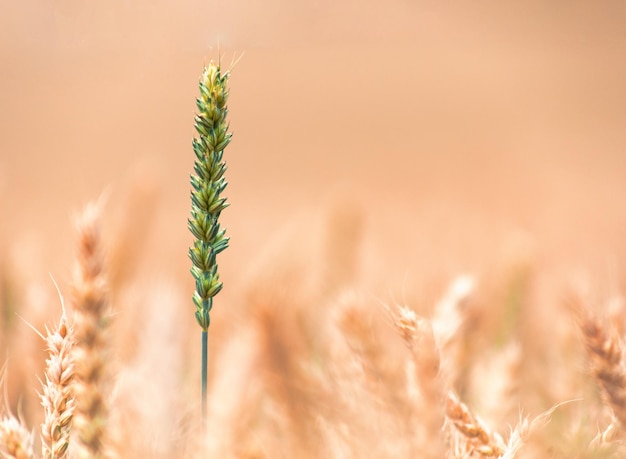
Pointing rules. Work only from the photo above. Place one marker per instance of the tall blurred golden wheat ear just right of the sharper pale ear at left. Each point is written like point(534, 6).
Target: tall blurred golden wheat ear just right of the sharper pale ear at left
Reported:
point(91, 307)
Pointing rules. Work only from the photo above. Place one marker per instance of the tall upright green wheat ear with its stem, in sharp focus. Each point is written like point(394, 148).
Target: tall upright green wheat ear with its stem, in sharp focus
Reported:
point(207, 184)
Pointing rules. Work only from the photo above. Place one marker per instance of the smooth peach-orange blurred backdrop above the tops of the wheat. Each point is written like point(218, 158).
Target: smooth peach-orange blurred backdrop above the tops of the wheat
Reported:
point(445, 136)
